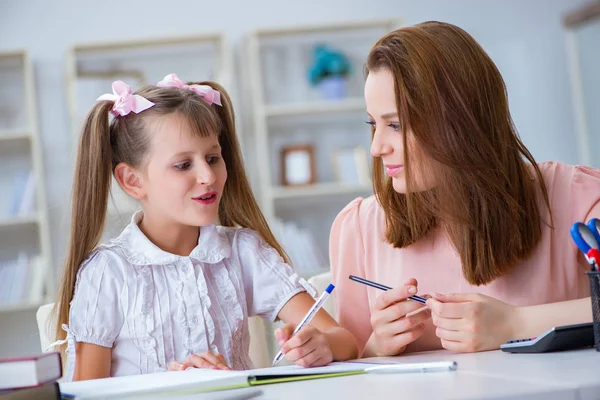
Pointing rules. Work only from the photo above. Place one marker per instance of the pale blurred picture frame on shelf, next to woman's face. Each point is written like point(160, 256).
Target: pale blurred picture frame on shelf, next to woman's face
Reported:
point(351, 166)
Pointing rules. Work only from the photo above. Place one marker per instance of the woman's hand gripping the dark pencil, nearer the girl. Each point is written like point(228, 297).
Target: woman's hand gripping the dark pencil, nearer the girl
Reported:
point(394, 322)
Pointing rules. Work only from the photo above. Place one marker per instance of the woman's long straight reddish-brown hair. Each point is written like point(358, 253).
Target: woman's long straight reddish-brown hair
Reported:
point(457, 129)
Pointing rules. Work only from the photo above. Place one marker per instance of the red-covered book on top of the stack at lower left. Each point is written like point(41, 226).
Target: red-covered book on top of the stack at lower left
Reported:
point(29, 371)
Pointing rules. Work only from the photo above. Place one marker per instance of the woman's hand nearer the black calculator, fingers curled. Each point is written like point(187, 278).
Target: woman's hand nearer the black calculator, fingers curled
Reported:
point(471, 322)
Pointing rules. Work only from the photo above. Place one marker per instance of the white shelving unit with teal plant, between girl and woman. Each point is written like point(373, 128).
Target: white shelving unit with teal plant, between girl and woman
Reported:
point(288, 111)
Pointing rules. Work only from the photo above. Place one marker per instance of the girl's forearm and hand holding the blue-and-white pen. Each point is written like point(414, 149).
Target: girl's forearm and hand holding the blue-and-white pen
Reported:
point(318, 343)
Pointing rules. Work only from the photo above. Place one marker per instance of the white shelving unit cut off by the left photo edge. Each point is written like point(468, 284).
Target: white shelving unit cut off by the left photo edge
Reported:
point(24, 231)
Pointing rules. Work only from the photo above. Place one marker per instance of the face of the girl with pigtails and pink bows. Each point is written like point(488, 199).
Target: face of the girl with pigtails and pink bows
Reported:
point(185, 173)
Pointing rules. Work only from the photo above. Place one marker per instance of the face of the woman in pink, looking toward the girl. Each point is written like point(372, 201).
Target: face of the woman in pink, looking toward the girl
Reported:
point(388, 143)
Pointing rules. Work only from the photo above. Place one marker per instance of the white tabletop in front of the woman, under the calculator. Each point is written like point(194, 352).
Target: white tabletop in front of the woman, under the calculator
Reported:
point(489, 375)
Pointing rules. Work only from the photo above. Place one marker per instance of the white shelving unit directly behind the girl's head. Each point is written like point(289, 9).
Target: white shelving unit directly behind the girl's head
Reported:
point(92, 68)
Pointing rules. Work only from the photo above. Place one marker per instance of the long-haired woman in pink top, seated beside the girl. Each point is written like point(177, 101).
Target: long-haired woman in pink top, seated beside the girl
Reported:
point(462, 211)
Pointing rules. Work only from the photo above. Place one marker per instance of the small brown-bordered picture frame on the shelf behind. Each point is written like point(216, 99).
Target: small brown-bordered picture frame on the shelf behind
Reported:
point(298, 165)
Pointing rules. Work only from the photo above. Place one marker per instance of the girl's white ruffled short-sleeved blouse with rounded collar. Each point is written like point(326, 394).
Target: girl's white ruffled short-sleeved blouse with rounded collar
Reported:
point(152, 307)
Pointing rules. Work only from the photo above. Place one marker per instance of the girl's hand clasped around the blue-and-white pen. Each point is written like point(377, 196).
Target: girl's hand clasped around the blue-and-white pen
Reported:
point(308, 348)
